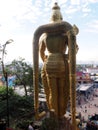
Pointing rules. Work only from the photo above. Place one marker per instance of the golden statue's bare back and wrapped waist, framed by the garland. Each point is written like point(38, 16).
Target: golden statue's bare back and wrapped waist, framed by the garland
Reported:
point(56, 45)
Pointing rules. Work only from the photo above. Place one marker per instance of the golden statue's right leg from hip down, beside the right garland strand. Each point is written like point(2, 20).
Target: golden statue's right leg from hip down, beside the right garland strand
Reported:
point(64, 90)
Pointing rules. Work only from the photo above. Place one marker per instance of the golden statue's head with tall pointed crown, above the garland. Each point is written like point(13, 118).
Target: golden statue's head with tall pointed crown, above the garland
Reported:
point(56, 15)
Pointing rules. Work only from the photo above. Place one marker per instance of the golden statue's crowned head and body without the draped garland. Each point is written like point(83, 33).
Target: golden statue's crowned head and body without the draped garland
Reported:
point(55, 70)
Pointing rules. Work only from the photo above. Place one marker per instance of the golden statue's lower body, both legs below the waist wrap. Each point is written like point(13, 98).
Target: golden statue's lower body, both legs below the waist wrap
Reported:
point(59, 94)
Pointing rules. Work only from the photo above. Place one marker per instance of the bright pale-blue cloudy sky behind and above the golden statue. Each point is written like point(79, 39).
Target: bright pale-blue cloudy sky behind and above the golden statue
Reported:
point(20, 18)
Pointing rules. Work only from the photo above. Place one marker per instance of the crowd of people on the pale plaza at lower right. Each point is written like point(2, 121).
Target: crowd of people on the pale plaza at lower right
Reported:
point(87, 106)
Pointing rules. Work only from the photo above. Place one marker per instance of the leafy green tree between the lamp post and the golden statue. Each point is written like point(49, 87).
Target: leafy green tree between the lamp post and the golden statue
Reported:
point(23, 73)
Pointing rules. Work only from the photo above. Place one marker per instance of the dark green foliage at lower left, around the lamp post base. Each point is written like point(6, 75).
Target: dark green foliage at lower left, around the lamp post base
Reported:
point(20, 107)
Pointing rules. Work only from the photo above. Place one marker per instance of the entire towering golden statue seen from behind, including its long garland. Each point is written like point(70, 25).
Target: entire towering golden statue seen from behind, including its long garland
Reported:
point(59, 65)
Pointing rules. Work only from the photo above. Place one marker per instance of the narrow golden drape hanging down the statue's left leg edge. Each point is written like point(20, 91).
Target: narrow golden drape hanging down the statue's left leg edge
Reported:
point(45, 85)
